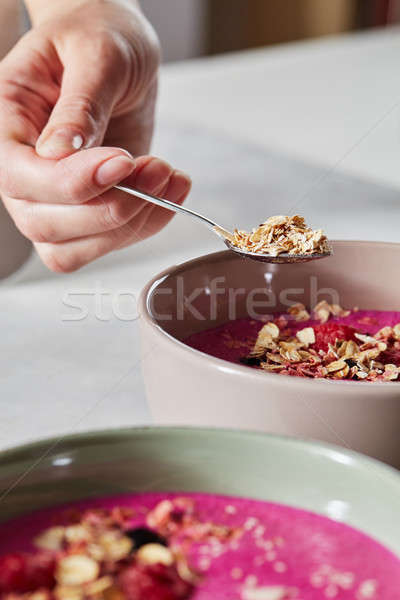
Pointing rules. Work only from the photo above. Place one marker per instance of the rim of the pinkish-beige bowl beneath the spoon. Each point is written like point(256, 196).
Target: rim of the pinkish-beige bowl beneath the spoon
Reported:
point(214, 362)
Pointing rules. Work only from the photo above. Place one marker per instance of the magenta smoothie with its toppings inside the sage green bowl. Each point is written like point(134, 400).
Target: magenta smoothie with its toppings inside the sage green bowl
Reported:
point(198, 546)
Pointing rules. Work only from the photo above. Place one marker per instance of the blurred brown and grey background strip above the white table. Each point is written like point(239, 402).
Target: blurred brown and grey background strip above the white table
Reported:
point(191, 28)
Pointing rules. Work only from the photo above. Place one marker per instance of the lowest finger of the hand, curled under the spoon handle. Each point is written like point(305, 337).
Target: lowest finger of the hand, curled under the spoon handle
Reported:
point(73, 254)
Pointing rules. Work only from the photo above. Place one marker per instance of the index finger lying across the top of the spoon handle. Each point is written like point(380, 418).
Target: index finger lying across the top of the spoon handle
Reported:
point(73, 180)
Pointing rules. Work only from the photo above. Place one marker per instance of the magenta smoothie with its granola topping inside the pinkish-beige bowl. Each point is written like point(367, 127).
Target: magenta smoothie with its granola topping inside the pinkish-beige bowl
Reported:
point(323, 341)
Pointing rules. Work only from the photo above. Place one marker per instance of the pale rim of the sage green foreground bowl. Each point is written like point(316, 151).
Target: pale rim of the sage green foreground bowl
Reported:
point(326, 450)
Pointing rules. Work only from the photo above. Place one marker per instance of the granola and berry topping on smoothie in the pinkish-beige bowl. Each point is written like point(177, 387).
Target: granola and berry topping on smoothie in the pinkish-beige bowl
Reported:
point(348, 354)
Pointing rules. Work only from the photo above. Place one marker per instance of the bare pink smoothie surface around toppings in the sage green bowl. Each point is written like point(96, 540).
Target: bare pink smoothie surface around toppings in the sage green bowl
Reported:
point(299, 554)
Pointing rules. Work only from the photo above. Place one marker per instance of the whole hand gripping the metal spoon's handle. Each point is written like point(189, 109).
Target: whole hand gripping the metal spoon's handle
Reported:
point(82, 78)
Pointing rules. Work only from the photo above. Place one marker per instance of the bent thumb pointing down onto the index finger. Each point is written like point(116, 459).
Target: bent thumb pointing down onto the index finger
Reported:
point(90, 88)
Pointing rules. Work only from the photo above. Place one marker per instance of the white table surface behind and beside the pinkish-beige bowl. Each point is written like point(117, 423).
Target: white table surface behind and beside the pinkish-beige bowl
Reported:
point(291, 112)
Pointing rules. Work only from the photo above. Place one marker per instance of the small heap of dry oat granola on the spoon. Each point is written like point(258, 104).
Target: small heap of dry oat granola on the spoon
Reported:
point(282, 234)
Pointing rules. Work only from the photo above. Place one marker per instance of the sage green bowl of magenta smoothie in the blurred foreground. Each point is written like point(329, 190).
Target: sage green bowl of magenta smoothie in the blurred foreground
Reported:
point(175, 514)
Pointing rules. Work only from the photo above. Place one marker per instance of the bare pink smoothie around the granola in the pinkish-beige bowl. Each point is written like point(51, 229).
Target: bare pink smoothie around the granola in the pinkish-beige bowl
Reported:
point(234, 340)
